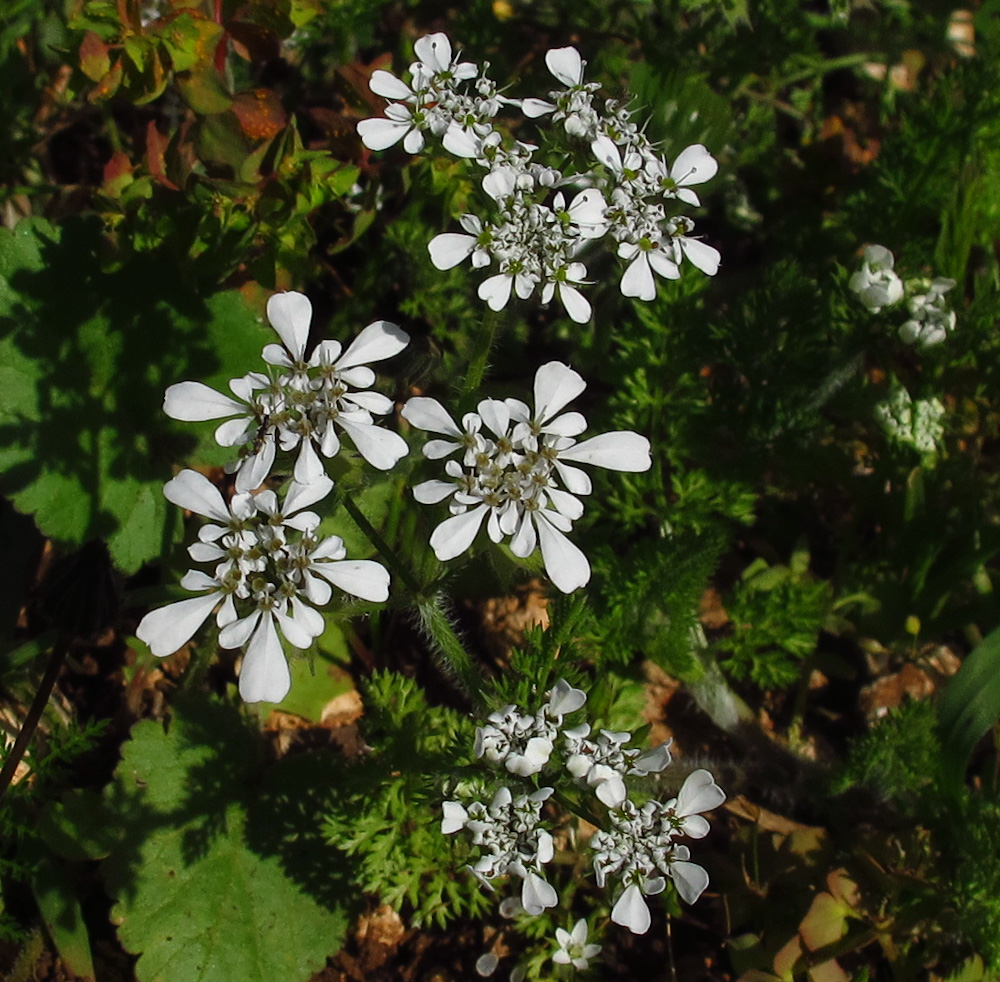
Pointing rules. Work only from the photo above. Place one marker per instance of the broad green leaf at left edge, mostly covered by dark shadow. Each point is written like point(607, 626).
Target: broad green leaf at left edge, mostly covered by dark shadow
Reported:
point(85, 356)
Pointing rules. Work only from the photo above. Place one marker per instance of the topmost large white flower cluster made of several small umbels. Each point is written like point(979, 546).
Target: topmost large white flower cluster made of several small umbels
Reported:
point(611, 183)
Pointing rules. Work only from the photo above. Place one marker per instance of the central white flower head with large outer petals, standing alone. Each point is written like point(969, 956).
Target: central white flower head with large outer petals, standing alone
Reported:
point(514, 467)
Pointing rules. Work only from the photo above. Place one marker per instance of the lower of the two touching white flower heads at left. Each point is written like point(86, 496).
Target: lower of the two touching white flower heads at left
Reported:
point(270, 566)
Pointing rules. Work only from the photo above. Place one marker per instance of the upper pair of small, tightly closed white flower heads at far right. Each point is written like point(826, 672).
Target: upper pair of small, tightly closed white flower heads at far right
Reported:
point(877, 285)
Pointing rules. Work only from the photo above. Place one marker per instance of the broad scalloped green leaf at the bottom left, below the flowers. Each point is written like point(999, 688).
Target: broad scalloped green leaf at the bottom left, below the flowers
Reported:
point(209, 888)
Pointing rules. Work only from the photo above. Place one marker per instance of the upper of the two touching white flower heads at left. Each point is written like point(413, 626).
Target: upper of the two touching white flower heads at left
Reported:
point(305, 403)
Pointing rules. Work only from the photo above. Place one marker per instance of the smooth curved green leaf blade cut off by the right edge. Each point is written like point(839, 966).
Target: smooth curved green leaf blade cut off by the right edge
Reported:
point(968, 707)
